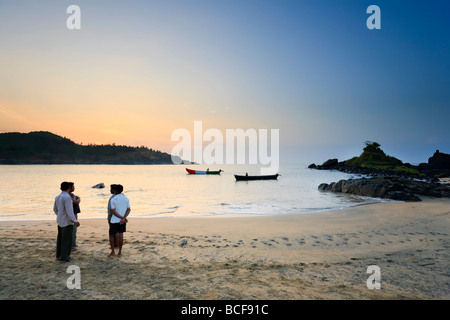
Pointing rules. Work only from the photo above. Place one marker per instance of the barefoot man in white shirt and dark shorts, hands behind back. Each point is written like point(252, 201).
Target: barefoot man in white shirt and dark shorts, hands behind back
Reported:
point(120, 208)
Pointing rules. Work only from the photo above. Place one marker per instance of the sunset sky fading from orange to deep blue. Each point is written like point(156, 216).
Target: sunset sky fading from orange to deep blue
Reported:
point(138, 70)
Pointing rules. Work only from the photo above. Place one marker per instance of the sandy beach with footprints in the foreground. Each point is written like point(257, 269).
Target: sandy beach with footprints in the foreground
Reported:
point(305, 256)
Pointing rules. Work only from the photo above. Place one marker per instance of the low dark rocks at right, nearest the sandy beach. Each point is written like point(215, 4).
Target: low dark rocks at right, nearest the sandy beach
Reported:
point(388, 187)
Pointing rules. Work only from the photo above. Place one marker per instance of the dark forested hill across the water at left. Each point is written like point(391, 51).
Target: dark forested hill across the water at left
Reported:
point(43, 147)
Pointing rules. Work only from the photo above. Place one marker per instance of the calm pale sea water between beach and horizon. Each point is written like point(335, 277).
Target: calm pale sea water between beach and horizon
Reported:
point(27, 192)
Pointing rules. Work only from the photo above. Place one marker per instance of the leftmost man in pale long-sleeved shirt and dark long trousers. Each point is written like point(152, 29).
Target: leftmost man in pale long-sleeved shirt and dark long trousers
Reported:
point(63, 208)
